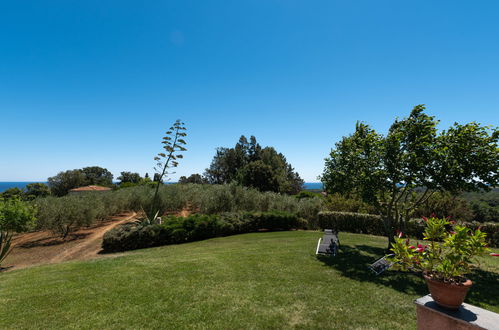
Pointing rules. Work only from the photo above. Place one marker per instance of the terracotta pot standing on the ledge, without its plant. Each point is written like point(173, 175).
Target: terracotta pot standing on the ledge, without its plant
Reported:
point(448, 295)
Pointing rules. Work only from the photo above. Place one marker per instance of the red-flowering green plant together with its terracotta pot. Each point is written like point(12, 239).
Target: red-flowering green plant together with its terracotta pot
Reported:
point(449, 254)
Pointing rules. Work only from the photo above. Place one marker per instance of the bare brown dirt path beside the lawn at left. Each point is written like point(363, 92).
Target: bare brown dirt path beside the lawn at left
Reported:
point(43, 247)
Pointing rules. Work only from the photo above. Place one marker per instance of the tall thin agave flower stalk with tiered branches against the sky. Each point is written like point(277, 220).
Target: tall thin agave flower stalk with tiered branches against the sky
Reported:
point(173, 144)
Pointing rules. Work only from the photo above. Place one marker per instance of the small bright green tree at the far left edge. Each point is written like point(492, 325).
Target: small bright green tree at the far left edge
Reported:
point(16, 216)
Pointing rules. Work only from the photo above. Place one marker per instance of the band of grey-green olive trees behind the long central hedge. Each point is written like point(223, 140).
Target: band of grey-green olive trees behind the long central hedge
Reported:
point(66, 214)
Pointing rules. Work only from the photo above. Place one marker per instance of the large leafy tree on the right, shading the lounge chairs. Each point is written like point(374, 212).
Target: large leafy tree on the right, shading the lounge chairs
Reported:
point(384, 171)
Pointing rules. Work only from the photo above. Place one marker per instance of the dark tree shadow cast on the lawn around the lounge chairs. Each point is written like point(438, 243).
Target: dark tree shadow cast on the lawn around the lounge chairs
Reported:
point(353, 262)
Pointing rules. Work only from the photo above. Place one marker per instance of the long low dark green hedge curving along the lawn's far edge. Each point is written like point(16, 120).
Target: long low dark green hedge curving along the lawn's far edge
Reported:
point(175, 230)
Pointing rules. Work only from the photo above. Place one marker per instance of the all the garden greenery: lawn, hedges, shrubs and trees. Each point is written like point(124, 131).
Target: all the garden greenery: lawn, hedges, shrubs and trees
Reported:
point(236, 248)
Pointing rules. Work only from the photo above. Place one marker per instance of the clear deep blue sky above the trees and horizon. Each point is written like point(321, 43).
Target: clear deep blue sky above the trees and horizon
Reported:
point(86, 83)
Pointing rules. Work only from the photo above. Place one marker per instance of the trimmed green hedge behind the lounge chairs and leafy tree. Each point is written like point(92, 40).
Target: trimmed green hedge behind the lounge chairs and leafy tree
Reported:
point(373, 224)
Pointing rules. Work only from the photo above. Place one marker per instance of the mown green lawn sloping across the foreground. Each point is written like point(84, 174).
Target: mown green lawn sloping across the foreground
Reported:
point(259, 280)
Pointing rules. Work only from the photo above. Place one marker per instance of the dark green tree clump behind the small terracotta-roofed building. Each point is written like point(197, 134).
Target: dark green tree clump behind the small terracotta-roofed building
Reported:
point(65, 181)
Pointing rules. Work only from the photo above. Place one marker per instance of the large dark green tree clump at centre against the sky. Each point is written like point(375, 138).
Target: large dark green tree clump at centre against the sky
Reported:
point(251, 166)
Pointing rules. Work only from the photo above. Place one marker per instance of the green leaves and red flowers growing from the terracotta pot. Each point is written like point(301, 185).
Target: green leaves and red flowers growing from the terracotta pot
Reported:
point(449, 254)
